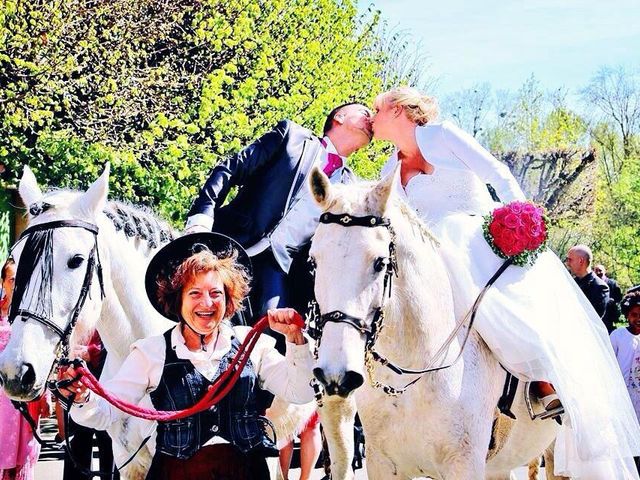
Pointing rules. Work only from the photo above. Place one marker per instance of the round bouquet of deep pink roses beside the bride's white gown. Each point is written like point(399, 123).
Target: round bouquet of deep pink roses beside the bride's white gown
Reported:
point(517, 231)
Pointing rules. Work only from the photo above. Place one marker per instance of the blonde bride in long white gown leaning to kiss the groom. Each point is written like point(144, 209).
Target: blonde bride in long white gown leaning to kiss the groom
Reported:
point(535, 319)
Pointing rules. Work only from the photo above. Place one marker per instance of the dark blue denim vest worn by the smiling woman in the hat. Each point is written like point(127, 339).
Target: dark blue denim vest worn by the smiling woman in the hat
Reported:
point(234, 418)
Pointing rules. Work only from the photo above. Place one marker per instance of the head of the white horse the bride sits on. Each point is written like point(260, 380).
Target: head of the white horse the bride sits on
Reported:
point(353, 253)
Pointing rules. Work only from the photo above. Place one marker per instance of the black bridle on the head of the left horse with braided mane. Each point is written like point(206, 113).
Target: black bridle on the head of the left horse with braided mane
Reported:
point(93, 265)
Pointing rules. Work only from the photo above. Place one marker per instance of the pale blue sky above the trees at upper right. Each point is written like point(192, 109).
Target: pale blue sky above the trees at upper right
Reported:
point(563, 42)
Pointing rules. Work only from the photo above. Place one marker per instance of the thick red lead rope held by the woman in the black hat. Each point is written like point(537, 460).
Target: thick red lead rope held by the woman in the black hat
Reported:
point(216, 392)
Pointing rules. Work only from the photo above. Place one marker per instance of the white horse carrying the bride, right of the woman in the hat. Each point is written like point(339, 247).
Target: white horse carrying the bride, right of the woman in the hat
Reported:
point(442, 425)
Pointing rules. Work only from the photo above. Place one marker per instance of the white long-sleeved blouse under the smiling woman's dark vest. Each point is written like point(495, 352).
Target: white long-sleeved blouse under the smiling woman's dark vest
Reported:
point(285, 376)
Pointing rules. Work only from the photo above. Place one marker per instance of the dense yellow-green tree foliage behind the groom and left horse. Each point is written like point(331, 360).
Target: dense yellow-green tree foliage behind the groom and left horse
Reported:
point(164, 89)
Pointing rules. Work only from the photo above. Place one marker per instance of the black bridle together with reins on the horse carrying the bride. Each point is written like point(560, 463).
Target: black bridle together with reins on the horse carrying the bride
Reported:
point(372, 331)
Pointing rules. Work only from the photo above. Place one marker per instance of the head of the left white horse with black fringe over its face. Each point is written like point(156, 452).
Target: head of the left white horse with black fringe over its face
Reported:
point(58, 281)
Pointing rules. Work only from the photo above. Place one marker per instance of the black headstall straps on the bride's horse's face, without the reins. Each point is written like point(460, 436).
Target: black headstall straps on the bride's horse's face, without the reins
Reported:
point(370, 331)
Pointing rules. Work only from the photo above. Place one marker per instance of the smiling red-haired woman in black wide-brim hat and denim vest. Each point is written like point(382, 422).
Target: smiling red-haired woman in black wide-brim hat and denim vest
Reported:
point(199, 281)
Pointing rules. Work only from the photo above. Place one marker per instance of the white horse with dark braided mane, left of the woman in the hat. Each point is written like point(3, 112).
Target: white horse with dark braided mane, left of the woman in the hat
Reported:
point(126, 238)
